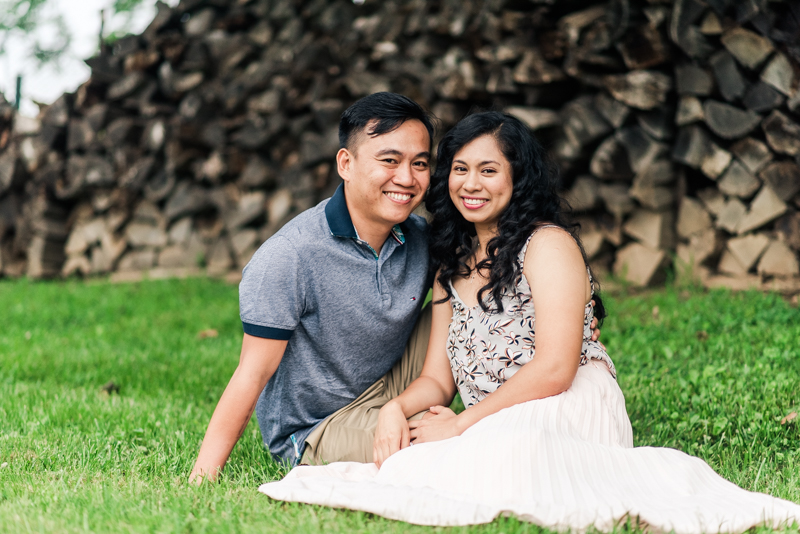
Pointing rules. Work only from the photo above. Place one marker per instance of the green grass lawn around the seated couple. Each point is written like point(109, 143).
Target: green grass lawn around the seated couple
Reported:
point(712, 374)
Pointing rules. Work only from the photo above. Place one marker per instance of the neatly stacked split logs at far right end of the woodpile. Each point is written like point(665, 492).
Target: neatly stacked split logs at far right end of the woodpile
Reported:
point(739, 141)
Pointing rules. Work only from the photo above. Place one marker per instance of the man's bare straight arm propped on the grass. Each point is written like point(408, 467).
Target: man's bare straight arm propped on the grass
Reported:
point(257, 363)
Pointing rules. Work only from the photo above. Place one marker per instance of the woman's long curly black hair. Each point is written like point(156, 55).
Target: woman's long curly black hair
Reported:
point(534, 201)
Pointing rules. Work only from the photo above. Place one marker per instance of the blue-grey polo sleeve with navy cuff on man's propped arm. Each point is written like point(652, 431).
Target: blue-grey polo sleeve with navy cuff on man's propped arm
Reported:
point(272, 293)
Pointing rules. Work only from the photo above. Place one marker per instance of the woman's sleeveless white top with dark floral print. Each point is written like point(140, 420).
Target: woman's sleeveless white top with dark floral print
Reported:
point(486, 349)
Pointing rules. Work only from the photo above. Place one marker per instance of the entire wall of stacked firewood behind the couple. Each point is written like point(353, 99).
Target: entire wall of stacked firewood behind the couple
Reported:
point(676, 125)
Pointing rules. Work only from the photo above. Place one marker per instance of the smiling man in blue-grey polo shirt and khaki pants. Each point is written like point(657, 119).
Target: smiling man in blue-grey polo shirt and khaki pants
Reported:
point(331, 304)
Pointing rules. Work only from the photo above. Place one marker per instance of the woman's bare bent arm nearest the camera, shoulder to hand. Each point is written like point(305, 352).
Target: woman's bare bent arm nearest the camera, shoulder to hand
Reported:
point(560, 289)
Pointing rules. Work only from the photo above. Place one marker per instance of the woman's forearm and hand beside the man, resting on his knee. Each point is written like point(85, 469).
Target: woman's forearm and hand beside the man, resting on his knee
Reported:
point(435, 386)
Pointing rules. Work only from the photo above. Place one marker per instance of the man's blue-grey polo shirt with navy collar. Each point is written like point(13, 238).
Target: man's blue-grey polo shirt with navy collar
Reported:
point(346, 311)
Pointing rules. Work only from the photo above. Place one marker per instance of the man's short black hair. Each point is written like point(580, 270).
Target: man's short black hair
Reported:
point(383, 113)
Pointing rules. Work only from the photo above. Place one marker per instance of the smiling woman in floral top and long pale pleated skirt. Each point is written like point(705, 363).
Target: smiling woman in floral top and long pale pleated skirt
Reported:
point(553, 445)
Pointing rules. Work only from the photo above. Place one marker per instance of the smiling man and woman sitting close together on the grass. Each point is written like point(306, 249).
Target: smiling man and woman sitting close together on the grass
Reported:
point(350, 376)
